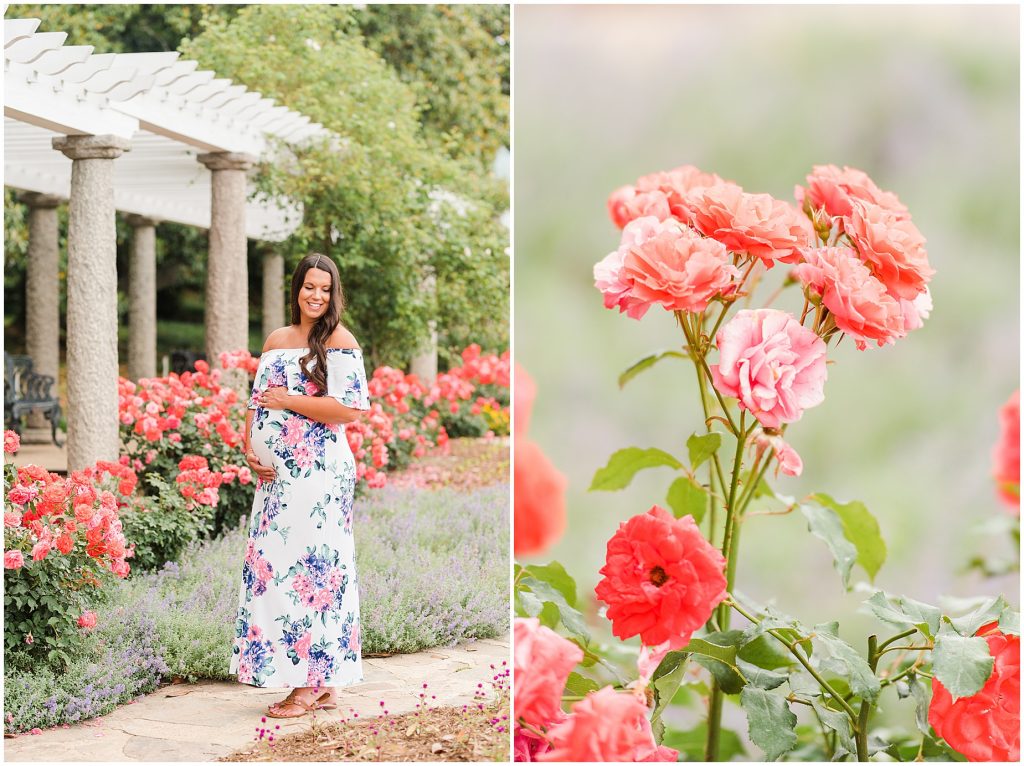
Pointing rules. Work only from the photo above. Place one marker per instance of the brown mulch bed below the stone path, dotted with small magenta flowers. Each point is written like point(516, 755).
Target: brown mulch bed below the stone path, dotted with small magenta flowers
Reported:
point(468, 734)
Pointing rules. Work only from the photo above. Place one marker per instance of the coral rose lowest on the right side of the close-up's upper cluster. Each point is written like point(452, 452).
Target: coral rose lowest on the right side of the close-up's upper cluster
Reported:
point(859, 303)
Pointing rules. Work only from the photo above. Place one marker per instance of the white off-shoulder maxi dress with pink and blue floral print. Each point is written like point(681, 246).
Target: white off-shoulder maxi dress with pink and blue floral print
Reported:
point(298, 618)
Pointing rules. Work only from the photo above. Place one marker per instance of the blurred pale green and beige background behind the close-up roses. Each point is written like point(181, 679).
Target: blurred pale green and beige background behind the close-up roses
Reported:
point(926, 101)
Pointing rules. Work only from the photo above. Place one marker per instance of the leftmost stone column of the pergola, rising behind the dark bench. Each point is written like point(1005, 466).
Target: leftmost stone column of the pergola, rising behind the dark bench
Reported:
point(42, 292)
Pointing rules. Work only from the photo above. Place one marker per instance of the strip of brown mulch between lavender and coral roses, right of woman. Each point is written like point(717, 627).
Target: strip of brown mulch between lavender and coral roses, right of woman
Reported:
point(470, 464)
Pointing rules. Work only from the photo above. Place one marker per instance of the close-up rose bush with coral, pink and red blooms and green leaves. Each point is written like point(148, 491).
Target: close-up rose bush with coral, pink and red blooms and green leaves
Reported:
point(670, 575)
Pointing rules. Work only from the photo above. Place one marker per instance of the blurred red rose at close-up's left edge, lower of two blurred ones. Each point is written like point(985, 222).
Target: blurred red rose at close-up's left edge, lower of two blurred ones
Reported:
point(540, 500)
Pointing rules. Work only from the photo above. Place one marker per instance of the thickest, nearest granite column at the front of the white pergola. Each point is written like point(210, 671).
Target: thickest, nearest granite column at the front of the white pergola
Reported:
point(93, 300)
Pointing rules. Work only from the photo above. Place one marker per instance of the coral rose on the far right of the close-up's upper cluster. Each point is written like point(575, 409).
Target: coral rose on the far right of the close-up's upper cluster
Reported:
point(891, 246)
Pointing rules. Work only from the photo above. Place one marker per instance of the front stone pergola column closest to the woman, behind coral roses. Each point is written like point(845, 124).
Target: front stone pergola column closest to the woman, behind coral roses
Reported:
point(227, 272)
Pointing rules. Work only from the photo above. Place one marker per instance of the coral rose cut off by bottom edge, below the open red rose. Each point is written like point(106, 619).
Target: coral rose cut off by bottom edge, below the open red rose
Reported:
point(607, 727)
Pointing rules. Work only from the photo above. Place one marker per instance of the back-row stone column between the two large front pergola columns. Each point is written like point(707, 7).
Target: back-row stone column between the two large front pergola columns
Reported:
point(143, 299)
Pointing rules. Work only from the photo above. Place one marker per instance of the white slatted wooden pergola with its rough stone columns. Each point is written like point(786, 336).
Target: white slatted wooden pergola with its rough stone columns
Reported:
point(159, 140)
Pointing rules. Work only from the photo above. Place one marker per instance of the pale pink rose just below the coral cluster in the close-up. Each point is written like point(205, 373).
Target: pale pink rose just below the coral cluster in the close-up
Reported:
point(775, 367)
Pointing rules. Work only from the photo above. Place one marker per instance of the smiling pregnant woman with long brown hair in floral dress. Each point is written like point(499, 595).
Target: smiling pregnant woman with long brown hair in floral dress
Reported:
point(298, 618)
